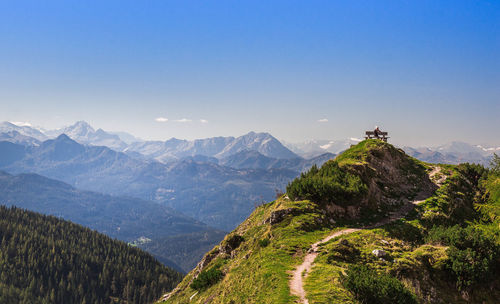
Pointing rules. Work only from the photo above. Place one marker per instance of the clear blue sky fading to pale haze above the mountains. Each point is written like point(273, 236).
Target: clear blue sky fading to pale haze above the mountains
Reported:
point(426, 71)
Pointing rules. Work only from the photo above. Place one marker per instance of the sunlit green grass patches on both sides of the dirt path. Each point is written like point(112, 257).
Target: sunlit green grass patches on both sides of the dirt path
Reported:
point(256, 274)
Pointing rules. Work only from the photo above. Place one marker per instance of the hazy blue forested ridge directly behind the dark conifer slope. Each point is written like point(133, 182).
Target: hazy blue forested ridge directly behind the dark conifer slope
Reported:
point(124, 218)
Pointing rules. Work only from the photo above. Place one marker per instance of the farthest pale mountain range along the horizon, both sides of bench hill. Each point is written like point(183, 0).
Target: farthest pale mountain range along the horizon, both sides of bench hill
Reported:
point(221, 148)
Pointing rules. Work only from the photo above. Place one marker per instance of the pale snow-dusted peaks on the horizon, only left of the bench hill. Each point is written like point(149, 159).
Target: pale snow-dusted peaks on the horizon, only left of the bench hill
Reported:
point(163, 151)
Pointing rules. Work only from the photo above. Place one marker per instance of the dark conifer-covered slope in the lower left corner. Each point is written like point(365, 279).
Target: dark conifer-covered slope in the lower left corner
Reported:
point(47, 260)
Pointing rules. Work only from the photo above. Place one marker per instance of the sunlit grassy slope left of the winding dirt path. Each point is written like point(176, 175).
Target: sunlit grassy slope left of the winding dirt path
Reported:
point(260, 274)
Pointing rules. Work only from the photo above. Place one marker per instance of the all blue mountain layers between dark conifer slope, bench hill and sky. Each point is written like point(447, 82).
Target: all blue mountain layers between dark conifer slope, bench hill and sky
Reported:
point(219, 186)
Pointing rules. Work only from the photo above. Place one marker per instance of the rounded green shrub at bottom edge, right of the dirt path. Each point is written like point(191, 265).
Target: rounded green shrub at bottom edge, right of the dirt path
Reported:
point(369, 287)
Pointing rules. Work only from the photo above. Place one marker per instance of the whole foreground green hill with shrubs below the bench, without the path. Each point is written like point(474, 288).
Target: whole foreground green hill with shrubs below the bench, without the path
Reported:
point(445, 250)
